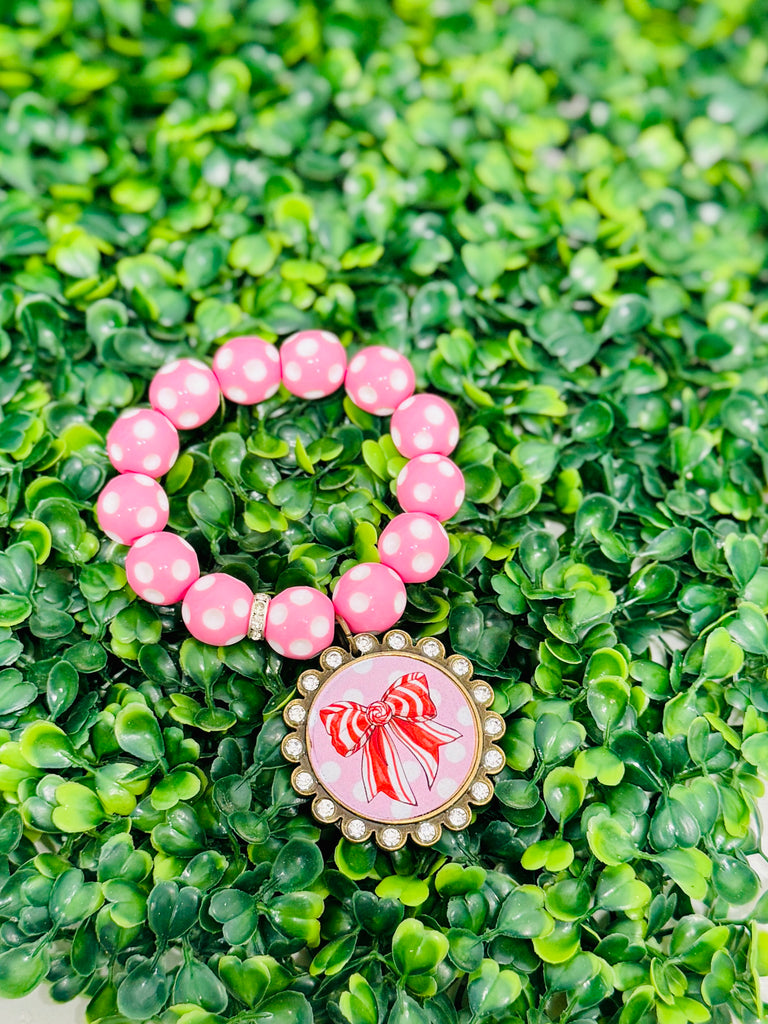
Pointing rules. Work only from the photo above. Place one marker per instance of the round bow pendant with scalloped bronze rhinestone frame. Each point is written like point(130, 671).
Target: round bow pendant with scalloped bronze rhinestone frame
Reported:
point(394, 740)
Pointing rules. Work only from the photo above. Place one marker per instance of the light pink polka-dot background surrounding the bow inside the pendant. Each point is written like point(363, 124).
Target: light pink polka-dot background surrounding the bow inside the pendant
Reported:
point(365, 681)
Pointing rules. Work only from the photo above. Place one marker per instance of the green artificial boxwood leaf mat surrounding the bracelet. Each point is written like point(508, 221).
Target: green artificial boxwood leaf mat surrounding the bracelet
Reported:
point(558, 212)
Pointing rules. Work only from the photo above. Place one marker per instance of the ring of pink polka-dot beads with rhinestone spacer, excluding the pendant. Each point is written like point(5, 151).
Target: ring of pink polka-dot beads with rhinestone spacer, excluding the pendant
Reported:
point(300, 623)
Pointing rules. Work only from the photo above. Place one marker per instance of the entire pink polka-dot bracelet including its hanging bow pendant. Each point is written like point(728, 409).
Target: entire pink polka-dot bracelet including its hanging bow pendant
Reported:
point(421, 731)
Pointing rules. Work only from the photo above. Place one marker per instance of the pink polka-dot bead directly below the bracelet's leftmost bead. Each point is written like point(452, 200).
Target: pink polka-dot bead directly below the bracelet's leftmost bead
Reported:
point(161, 568)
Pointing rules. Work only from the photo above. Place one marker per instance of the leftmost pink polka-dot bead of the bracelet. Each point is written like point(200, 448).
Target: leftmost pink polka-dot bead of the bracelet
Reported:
point(131, 506)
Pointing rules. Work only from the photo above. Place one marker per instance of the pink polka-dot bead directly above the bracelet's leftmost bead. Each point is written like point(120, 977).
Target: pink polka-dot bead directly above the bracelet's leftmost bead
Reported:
point(143, 441)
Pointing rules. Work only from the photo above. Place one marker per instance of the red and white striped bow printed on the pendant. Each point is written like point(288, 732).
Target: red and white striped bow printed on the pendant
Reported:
point(405, 713)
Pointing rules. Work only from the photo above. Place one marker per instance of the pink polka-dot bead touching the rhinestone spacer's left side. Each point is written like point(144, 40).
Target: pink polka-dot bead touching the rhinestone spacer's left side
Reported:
point(217, 610)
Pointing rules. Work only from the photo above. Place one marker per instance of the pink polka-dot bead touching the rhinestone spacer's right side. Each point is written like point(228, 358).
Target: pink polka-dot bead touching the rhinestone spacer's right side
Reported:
point(301, 622)
